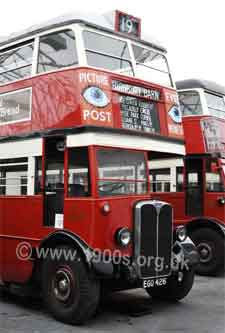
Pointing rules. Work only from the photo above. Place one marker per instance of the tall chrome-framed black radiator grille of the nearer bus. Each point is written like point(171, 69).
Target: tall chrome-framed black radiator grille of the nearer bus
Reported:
point(153, 238)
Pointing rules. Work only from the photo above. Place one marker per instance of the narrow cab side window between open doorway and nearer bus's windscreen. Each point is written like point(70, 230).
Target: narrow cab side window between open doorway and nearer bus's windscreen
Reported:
point(78, 173)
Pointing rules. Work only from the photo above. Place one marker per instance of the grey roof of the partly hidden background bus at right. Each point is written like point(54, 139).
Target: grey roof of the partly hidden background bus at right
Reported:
point(197, 83)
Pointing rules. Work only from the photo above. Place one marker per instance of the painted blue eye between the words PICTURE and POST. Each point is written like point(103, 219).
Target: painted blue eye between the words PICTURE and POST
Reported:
point(96, 97)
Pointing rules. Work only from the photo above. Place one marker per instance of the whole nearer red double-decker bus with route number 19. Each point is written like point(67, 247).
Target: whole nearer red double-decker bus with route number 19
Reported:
point(82, 106)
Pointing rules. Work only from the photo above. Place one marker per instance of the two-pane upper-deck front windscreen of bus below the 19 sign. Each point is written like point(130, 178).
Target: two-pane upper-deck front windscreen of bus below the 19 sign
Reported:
point(123, 57)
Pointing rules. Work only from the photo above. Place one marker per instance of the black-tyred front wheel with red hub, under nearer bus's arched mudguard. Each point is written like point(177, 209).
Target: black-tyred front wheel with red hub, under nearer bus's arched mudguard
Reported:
point(70, 293)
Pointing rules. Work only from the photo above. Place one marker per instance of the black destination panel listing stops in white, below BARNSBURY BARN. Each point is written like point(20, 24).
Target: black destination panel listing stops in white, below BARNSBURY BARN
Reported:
point(139, 114)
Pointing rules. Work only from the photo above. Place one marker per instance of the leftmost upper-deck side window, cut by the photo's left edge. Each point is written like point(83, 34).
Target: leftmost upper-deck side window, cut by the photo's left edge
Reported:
point(16, 63)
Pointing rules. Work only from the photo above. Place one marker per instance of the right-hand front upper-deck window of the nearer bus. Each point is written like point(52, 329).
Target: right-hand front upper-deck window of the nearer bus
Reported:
point(151, 66)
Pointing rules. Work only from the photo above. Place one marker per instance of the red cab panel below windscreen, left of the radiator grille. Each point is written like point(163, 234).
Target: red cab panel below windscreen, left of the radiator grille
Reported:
point(86, 219)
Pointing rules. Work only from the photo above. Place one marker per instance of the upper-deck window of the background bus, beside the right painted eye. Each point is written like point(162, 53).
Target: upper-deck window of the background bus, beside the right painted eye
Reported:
point(190, 103)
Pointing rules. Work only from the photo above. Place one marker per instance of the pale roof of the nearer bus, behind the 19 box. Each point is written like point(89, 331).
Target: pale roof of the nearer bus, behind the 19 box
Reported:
point(101, 22)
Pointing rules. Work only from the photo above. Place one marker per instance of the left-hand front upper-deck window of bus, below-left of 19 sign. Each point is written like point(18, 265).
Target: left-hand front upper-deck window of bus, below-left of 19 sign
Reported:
point(107, 52)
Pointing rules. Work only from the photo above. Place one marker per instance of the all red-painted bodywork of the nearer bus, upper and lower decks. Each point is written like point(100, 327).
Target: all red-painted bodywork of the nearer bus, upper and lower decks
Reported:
point(57, 103)
